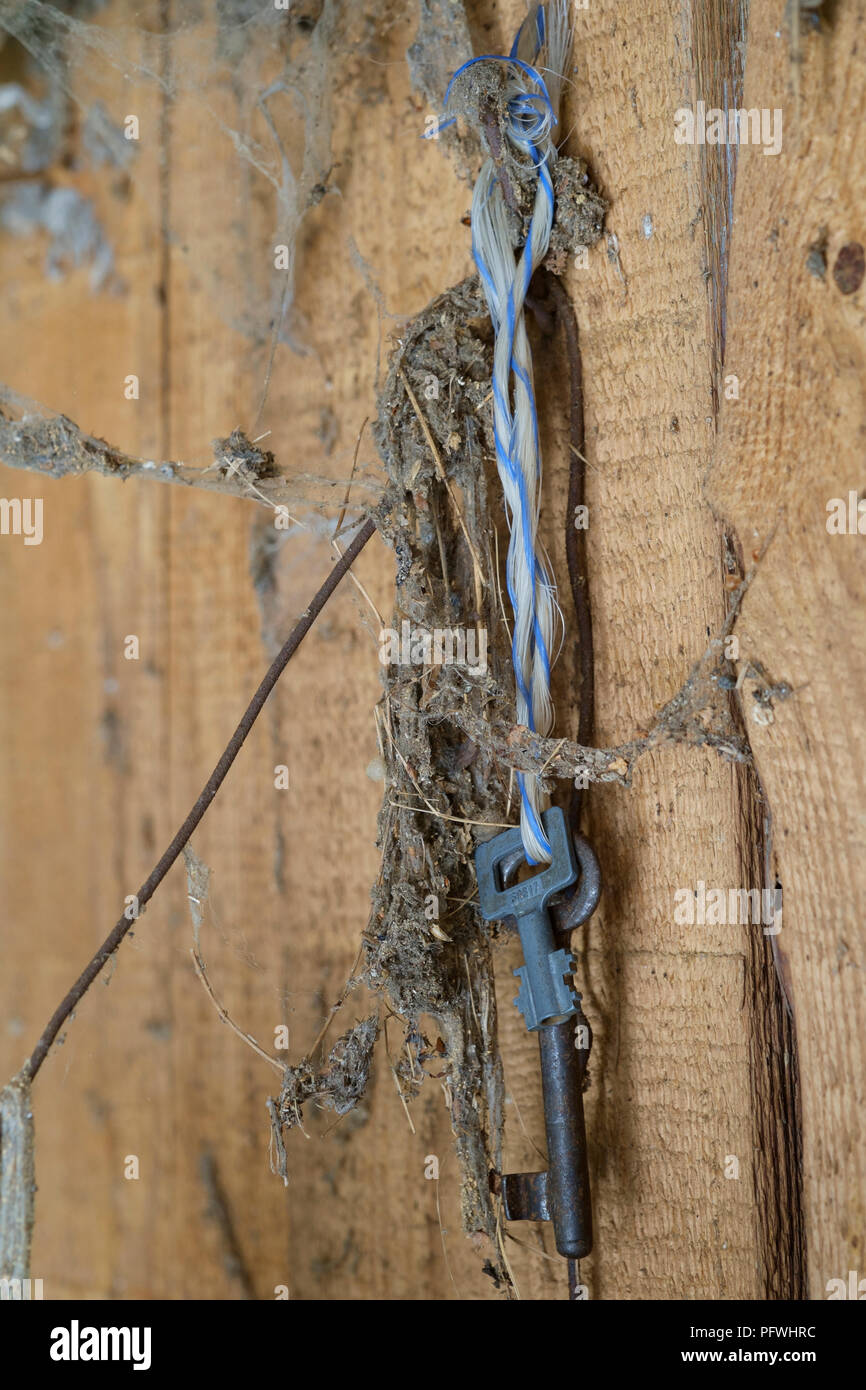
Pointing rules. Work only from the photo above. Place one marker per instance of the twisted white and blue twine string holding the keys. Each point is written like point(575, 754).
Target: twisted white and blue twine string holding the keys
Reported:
point(532, 105)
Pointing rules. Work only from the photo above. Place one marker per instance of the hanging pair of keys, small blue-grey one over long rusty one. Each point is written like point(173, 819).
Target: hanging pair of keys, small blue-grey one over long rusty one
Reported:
point(551, 1008)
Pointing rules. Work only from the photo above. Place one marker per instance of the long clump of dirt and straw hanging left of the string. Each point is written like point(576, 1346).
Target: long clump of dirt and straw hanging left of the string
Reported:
point(429, 957)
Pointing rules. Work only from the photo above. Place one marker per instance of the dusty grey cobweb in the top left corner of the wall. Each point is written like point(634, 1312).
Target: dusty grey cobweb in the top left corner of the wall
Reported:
point(259, 74)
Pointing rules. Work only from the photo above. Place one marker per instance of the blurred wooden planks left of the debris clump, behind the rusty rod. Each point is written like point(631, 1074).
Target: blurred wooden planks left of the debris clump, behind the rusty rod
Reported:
point(98, 776)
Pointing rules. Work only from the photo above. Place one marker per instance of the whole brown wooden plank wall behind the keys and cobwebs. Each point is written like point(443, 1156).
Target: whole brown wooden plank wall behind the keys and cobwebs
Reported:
point(694, 1061)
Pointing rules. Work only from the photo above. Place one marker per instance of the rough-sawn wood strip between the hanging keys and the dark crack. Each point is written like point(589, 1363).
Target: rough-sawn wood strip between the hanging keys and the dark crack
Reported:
point(671, 1067)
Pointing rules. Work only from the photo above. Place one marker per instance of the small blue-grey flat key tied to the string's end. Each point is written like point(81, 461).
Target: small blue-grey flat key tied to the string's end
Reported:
point(544, 996)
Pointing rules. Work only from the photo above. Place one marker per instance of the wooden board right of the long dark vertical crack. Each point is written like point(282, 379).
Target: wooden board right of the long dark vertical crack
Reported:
point(787, 447)
